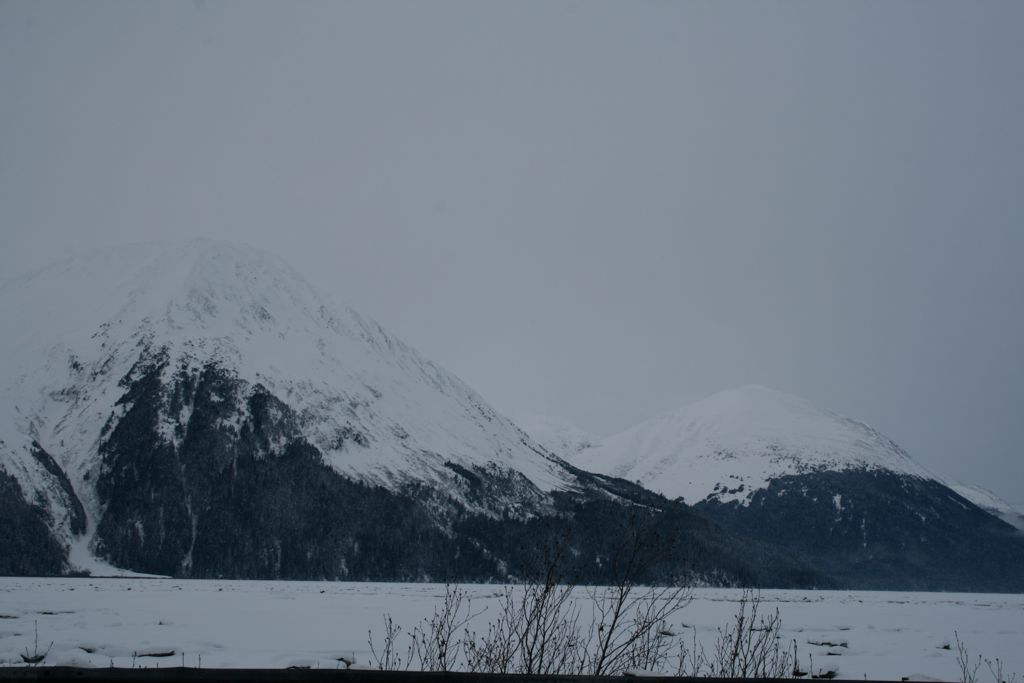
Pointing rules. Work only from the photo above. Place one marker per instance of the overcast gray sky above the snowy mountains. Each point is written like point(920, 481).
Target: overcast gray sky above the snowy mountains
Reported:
point(599, 211)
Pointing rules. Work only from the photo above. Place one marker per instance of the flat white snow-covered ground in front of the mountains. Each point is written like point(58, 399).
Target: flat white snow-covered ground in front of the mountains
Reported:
point(100, 622)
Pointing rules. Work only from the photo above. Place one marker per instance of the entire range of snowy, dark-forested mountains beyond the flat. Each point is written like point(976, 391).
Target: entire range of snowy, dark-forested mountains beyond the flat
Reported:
point(199, 410)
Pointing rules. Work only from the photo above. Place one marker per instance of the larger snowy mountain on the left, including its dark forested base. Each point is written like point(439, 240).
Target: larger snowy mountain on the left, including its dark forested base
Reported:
point(199, 410)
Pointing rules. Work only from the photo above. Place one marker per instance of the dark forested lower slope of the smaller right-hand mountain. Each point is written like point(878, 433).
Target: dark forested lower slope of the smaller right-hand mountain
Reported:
point(880, 530)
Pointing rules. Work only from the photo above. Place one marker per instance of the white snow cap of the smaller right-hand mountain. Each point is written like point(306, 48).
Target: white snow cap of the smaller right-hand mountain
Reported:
point(734, 443)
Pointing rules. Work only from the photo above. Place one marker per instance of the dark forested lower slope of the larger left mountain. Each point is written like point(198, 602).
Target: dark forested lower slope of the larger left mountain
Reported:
point(251, 499)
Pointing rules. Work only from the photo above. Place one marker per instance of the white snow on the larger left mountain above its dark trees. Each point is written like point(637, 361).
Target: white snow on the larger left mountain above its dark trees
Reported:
point(72, 331)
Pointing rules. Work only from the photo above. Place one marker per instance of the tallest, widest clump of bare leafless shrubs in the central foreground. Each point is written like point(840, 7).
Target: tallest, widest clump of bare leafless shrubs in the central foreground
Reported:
point(540, 628)
